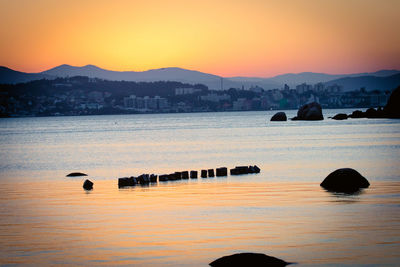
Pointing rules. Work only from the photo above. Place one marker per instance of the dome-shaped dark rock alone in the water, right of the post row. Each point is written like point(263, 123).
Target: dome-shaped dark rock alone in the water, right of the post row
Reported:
point(345, 180)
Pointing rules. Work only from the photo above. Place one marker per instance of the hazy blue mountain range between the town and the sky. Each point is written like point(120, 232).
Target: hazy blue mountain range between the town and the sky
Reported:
point(381, 80)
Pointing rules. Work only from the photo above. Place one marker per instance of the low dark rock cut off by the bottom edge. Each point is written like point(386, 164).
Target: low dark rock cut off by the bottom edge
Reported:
point(249, 259)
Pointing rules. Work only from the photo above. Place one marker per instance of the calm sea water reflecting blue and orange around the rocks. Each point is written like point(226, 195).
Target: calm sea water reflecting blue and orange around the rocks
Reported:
point(48, 219)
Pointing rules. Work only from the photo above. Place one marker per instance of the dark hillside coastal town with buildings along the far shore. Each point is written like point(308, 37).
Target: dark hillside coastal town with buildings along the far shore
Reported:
point(91, 96)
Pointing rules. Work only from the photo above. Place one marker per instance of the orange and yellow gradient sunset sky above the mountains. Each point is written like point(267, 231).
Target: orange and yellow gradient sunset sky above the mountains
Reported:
point(228, 38)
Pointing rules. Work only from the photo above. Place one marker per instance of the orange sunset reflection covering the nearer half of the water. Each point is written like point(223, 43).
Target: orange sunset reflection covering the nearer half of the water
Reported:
point(194, 222)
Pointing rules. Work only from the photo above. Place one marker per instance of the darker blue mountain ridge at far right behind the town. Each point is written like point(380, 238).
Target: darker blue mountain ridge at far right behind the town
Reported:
point(368, 82)
